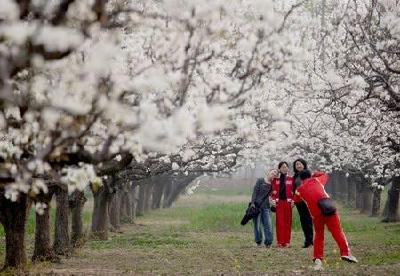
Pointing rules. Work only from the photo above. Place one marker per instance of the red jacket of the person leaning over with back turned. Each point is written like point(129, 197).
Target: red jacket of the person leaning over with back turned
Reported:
point(311, 191)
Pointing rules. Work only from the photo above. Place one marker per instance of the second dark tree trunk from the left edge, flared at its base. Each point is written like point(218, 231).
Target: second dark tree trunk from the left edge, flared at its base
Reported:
point(43, 250)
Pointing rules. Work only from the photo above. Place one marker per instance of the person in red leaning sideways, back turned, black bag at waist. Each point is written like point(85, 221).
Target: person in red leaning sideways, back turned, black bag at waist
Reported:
point(323, 213)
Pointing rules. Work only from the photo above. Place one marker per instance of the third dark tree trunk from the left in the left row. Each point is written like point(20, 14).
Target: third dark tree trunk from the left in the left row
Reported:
point(62, 244)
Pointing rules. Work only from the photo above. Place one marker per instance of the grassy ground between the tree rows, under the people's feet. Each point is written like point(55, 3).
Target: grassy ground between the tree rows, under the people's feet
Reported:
point(202, 235)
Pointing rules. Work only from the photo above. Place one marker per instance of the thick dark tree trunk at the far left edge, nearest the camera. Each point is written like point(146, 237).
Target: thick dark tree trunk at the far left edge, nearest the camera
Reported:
point(13, 218)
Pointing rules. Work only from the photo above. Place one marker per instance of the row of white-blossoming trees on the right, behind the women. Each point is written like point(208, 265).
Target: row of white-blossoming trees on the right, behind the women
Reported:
point(346, 117)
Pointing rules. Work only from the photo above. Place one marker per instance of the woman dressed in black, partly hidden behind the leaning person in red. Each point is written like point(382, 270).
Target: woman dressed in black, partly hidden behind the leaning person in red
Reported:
point(301, 172)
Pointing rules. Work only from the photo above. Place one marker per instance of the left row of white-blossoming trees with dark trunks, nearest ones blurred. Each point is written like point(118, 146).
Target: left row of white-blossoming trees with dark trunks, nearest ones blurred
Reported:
point(114, 94)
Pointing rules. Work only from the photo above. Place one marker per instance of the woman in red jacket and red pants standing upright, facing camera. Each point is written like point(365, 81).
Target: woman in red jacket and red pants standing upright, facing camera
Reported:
point(282, 199)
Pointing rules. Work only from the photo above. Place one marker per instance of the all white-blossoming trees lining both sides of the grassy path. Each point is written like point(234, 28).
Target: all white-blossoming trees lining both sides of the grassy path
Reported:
point(125, 94)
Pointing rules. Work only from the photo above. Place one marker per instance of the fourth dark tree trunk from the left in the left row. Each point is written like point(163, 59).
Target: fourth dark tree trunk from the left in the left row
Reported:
point(76, 204)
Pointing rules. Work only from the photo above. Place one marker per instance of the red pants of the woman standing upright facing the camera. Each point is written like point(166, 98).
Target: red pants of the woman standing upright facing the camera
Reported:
point(283, 222)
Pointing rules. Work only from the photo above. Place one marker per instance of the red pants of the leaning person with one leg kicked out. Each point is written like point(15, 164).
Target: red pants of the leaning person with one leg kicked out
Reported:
point(333, 224)
